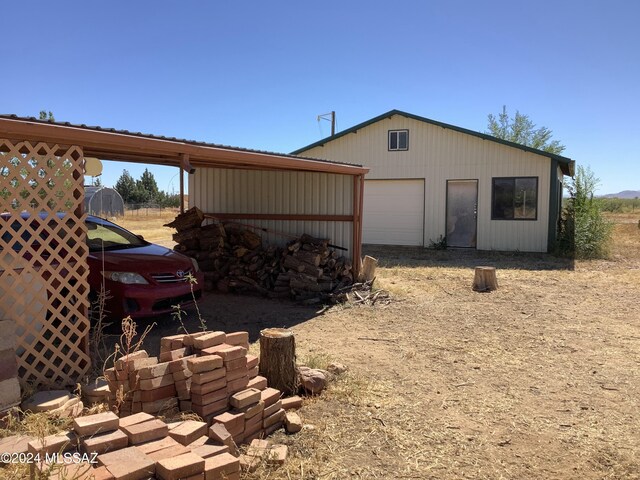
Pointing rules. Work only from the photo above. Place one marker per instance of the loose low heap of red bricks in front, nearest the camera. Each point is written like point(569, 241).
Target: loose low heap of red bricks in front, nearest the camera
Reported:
point(136, 447)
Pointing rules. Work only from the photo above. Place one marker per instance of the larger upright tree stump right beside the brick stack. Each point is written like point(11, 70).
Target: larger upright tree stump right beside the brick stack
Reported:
point(278, 359)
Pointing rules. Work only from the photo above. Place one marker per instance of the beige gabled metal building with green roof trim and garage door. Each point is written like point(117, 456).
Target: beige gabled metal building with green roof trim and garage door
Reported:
point(429, 180)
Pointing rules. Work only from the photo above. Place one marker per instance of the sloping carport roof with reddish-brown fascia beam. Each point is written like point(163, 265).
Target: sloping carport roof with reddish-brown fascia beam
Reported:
point(123, 145)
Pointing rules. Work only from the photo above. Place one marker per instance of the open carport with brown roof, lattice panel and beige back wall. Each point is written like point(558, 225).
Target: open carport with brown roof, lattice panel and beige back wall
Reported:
point(42, 169)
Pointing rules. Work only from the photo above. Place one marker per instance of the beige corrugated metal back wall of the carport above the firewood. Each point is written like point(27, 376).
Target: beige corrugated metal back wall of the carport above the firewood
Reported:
point(216, 190)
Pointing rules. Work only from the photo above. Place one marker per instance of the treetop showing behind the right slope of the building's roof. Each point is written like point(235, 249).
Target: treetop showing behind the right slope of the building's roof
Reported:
point(520, 129)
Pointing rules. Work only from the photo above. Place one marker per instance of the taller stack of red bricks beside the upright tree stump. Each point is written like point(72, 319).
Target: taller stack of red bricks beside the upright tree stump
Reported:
point(208, 373)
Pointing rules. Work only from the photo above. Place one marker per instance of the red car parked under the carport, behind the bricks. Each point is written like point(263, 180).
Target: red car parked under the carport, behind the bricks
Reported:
point(142, 279)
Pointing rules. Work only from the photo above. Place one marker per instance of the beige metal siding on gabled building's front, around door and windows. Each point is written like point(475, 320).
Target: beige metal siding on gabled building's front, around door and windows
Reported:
point(438, 154)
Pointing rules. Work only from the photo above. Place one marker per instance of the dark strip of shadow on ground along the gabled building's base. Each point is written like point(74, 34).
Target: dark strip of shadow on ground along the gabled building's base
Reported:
point(393, 256)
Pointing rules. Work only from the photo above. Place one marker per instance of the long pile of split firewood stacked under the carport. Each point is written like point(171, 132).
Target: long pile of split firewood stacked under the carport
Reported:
point(234, 259)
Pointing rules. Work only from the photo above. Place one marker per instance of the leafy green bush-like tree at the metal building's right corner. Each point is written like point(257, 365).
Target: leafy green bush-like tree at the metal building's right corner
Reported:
point(584, 232)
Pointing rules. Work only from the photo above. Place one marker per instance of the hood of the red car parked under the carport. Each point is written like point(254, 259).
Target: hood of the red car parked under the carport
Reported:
point(147, 259)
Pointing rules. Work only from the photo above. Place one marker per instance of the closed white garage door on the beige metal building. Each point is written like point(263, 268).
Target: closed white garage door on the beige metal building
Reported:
point(393, 212)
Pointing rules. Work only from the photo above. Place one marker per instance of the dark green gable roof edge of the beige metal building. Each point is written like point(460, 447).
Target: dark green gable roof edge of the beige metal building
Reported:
point(566, 164)
